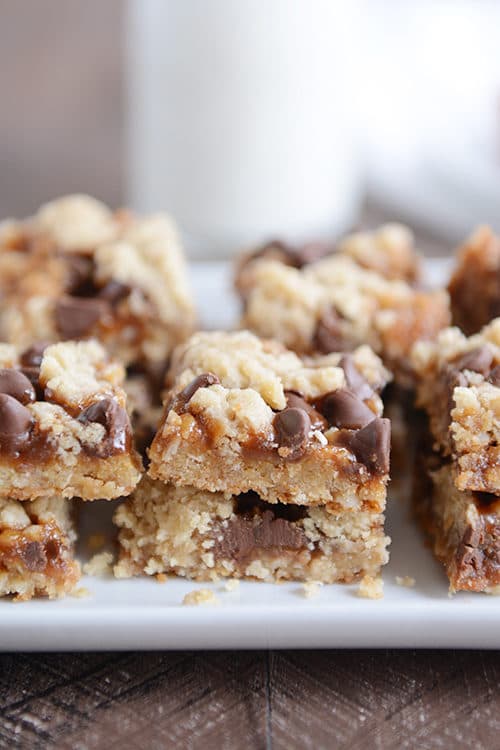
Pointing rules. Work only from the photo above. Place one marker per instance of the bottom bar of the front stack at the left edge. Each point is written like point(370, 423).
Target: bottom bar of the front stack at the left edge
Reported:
point(36, 548)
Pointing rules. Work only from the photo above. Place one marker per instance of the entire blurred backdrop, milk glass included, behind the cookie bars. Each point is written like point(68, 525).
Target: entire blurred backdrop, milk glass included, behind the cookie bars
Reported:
point(247, 119)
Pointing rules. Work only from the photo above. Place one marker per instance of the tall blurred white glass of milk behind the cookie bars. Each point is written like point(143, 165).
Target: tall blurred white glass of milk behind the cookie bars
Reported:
point(241, 118)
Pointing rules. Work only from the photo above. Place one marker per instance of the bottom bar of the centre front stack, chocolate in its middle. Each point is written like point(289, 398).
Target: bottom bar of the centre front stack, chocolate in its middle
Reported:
point(206, 536)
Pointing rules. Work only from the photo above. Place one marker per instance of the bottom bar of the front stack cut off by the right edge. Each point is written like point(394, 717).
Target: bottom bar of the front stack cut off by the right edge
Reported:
point(464, 527)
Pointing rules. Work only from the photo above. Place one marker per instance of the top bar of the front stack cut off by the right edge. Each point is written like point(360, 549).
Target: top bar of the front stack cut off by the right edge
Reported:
point(458, 384)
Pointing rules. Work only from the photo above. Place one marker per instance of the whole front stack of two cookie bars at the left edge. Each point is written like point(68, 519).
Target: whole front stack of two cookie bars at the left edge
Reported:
point(64, 433)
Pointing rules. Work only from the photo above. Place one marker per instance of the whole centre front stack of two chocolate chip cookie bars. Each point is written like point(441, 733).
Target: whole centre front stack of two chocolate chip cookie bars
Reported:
point(265, 466)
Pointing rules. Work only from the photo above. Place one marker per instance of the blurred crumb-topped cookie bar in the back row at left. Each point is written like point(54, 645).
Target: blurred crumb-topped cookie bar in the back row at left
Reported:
point(77, 270)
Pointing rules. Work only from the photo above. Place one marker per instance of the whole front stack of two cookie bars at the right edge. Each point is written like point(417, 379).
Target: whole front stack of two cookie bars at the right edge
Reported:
point(458, 386)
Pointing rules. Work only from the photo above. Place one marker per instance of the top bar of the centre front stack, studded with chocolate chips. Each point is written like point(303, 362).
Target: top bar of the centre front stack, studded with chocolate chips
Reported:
point(246, 414)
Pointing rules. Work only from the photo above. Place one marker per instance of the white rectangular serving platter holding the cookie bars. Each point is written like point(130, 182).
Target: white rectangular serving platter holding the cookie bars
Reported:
point(144, 614)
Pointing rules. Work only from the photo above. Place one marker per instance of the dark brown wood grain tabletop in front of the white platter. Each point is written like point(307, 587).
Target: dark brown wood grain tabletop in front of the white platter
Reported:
point(322, 699)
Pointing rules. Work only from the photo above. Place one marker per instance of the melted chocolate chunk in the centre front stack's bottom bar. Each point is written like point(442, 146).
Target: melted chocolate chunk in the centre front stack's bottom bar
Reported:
point(246, 533)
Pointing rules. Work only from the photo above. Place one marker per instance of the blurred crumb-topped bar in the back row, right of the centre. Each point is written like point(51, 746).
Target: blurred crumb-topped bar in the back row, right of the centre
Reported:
point(342, 300)
